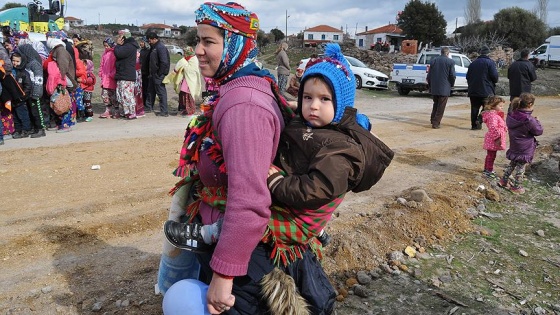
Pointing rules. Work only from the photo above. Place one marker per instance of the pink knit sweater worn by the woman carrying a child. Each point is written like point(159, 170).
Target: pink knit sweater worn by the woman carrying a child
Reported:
point(249, 123)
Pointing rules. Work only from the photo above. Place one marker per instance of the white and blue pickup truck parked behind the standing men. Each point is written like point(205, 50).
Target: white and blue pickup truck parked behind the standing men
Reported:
point(413, 77)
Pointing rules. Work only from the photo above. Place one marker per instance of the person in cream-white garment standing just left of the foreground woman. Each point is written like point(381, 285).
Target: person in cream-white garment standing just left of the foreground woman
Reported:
point(188, 82)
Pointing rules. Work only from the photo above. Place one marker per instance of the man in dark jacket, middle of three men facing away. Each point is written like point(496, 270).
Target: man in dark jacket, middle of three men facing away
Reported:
point(482, 77)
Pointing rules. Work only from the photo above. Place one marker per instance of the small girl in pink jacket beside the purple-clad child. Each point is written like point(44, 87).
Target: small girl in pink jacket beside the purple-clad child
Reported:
point(495, 137)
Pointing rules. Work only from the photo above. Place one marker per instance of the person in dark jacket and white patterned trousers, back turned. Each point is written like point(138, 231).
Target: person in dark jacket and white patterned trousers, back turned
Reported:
point(125, 53)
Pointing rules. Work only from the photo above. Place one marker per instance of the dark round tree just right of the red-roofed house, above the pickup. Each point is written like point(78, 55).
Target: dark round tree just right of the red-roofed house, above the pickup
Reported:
point(422, 21)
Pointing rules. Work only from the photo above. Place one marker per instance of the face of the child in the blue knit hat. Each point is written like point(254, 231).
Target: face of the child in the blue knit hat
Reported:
point(317, 106)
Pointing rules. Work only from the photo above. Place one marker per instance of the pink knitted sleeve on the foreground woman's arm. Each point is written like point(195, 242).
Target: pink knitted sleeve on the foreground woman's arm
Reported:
point(248, 150)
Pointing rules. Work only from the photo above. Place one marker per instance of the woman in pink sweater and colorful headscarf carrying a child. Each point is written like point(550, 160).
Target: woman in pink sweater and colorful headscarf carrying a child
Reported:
point(226, 157)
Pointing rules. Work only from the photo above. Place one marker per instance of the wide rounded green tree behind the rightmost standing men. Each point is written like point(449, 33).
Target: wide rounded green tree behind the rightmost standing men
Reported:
point(519, 27)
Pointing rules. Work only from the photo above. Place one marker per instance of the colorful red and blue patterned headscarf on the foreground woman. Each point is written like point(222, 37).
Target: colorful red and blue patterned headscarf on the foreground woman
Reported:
point(240, 33)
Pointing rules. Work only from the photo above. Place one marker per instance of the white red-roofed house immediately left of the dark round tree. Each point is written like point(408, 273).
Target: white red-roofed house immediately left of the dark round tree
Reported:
point(389, 35)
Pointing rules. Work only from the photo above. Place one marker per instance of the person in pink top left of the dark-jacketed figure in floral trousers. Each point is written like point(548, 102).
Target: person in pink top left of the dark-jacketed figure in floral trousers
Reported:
point(107, 70)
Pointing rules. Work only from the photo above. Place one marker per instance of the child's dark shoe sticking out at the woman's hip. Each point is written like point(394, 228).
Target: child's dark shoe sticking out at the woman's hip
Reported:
point(185, 236)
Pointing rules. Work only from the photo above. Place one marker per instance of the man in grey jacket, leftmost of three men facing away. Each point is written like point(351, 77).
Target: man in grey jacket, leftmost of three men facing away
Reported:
point(441, 77)
